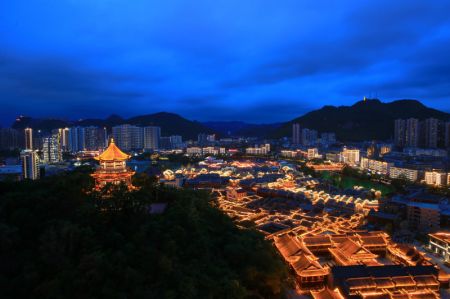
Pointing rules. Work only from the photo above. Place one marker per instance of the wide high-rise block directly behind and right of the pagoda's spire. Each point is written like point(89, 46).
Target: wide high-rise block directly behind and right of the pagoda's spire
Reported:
point(128, 137)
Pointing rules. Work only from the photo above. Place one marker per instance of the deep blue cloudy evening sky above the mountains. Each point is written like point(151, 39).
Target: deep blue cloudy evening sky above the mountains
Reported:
point(259, 61)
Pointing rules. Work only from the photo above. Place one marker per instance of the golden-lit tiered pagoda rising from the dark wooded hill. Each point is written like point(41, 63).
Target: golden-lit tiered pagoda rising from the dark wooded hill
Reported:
point(113, 168)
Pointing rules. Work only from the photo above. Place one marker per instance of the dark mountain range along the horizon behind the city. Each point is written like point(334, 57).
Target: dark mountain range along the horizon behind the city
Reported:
point(365, 120)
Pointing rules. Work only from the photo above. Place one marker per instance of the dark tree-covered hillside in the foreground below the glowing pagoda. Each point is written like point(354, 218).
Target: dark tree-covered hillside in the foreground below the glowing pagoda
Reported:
point(58, 241)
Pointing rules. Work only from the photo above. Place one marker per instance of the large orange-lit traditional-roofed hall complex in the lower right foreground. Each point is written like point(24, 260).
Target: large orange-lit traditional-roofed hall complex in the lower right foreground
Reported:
point(358, 265)
